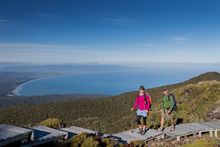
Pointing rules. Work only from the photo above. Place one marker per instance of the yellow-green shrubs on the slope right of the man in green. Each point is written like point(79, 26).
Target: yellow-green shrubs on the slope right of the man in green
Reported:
point(197, 99)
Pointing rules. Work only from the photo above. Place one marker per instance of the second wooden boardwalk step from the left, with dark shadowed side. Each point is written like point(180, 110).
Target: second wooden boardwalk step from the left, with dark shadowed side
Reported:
point(42, 135)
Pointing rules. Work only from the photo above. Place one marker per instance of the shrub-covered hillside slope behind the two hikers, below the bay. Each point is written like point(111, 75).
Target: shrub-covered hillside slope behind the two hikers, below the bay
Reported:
point(196, 98)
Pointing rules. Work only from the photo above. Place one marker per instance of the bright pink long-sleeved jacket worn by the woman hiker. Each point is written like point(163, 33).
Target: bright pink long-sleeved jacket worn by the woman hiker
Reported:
point(141, 104)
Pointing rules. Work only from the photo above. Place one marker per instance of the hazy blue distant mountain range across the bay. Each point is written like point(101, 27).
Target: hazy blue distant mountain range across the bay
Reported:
point(60, 69)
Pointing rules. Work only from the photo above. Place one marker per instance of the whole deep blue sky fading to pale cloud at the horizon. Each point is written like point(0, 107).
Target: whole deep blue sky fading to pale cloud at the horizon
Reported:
point(110, 31)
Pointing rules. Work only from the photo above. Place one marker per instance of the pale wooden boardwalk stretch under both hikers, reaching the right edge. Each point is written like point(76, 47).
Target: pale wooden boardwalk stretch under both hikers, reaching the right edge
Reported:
point(181, 130)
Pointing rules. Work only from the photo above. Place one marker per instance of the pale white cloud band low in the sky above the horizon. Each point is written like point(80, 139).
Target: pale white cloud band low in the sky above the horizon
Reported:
point(44, 53)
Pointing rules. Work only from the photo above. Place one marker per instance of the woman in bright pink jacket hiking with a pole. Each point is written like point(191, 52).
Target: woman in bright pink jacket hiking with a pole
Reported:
point(142, 104)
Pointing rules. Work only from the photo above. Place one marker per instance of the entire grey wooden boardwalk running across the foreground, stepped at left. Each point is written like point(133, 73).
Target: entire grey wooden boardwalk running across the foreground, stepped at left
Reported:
point(40, 135)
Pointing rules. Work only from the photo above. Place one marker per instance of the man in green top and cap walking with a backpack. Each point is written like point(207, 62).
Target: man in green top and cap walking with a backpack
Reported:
point(168, 110)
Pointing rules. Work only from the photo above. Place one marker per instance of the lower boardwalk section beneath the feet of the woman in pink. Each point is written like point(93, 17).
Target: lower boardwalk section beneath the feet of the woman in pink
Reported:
point(133, 135)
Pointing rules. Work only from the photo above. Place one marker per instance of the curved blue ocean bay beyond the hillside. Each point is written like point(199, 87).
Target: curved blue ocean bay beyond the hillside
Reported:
point(108, 83)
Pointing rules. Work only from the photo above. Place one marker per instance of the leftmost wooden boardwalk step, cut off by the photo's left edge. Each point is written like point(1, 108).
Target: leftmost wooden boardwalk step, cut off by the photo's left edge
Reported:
point(10, 134)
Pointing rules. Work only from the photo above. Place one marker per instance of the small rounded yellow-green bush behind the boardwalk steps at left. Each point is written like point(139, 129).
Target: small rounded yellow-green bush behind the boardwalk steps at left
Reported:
point(51, 122)
